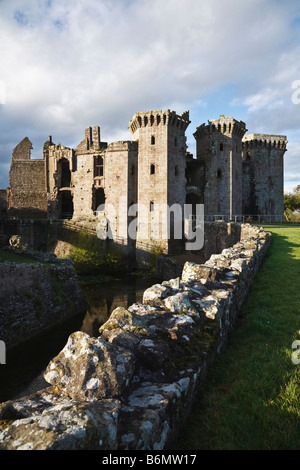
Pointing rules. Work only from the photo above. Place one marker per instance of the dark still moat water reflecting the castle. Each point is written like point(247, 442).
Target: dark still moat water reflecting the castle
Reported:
point(23, 372)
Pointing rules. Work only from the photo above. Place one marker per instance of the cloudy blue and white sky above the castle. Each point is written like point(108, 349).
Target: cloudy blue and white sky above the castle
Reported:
point(69, 64)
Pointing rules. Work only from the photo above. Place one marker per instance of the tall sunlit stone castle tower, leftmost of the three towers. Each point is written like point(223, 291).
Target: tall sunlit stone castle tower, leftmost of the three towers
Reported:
point(161, 175)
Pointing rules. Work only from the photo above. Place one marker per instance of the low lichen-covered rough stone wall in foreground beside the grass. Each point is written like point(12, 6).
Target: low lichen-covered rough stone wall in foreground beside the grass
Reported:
point(133, 386)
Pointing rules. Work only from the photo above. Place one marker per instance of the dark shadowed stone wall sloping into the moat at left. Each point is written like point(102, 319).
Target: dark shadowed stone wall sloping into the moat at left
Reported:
point(35, 297)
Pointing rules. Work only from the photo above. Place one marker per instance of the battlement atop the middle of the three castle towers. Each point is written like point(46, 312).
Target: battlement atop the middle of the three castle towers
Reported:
point(224, 125)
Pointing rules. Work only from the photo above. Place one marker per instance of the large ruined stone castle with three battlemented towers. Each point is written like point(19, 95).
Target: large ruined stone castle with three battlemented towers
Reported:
point(233, 175)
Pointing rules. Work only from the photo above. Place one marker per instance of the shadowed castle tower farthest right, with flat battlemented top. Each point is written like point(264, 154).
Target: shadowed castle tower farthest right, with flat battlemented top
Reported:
point(263, 175)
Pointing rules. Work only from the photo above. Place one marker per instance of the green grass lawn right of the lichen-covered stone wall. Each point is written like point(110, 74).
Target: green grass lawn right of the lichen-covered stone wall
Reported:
point(251, 397)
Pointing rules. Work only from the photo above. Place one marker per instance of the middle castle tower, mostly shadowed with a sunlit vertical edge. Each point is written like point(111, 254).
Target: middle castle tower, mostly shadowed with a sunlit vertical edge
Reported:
point(219, 149)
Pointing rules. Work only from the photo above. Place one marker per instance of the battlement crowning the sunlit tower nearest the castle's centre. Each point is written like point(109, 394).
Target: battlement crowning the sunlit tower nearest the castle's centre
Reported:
point(159, 118)
